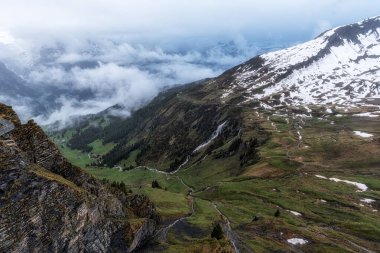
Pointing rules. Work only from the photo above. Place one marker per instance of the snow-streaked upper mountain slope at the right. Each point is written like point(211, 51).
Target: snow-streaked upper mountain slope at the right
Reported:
point(339, 67)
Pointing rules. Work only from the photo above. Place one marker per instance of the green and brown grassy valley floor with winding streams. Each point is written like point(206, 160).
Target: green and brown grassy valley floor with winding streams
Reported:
point(315, 189)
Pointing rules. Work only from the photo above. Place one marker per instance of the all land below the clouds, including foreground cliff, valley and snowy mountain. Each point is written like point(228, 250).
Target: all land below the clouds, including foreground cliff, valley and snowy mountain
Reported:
point(278, 154)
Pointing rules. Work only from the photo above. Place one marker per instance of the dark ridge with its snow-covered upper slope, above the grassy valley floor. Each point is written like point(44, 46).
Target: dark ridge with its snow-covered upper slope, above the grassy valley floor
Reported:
point(337, 69)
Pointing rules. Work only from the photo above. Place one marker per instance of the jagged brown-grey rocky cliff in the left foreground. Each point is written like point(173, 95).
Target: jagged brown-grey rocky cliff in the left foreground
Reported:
point(49, 205)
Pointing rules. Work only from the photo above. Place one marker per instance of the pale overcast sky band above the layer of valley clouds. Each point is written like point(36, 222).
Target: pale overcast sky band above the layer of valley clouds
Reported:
point(173, 22)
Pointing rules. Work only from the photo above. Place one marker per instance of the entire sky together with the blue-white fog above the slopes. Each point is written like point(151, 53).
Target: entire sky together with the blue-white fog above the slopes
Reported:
point(77, 62)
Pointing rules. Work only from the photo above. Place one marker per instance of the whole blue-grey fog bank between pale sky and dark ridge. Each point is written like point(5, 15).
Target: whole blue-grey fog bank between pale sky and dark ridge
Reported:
point(97, 74)
